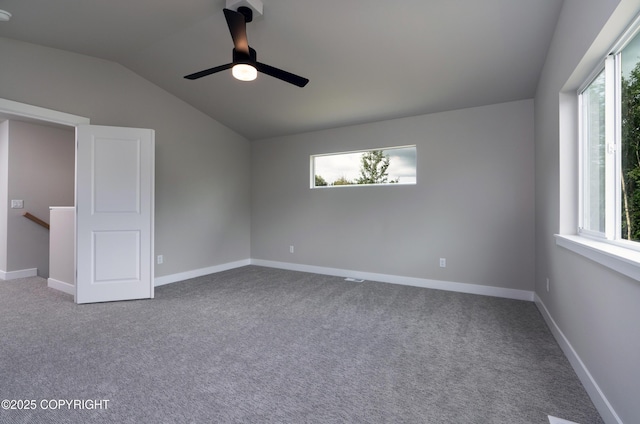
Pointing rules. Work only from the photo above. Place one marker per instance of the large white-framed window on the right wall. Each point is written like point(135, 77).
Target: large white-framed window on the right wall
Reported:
point(610, 147)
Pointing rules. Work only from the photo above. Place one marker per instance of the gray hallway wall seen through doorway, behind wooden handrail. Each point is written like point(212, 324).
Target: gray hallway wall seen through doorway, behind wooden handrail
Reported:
point(41, 173)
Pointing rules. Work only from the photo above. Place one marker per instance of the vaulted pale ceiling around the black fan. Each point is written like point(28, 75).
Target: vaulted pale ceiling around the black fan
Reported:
point(367, 60)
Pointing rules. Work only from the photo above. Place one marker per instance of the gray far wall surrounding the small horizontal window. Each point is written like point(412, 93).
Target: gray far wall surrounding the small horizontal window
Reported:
point(472, 204)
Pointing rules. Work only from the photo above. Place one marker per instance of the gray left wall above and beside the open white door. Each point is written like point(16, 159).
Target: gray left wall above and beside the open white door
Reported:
point(202, 168)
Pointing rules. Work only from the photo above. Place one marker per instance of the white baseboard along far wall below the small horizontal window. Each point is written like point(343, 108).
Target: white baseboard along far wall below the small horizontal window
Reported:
point(406, 281)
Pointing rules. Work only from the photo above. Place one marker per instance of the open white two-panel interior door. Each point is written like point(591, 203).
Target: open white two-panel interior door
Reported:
point(114, 213)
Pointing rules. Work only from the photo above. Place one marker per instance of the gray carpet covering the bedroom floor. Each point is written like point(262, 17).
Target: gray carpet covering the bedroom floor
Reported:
point(260, 345)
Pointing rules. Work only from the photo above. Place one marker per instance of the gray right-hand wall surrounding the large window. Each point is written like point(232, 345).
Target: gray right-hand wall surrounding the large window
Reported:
point(596, 308)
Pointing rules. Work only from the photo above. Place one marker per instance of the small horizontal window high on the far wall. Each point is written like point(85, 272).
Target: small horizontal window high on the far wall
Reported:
point(390, 165)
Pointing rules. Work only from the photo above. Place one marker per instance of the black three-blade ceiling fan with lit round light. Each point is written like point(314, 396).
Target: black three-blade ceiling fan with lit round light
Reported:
point(245, 66)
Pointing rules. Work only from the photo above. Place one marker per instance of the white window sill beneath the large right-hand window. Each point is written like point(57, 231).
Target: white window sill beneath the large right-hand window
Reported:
point(620, 259)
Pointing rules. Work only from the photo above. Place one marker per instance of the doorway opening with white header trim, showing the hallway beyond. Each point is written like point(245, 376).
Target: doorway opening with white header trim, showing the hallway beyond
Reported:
point(24, 246)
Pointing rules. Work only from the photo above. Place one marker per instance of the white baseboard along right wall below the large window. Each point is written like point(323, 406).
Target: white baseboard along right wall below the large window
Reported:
point(598, 398)
